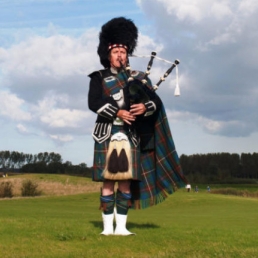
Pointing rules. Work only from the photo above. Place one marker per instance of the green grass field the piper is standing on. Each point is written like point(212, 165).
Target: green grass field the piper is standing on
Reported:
point(185, 225)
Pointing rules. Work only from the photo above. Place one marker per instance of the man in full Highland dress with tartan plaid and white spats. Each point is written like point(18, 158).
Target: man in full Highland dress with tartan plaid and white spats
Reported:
point(129, 130)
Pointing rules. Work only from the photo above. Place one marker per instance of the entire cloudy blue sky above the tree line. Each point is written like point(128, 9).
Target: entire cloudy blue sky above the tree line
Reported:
point(48, 47)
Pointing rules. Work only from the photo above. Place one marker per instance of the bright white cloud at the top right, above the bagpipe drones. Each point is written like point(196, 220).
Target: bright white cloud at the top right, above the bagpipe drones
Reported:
point(209, 22)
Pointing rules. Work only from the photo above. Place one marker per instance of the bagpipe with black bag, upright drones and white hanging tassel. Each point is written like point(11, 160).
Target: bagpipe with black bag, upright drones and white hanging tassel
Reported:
point(137, 90)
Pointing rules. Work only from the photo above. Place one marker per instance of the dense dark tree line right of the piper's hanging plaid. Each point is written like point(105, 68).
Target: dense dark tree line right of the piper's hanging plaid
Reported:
point(220, 167)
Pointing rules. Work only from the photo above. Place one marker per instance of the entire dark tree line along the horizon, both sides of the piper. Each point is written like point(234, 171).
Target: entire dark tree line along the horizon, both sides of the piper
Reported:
point(199, 168)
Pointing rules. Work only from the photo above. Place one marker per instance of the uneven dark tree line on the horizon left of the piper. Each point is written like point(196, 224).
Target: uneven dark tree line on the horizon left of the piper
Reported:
point(43, 162)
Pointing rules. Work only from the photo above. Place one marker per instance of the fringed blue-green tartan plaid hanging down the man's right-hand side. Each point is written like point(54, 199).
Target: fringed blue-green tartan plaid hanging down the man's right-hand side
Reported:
point(161, 170)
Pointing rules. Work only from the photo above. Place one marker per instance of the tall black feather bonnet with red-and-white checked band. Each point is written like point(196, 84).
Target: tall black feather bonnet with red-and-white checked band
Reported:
point(116, 32)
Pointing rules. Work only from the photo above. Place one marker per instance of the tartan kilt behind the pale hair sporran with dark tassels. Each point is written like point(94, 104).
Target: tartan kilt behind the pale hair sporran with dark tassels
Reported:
point(100, 156)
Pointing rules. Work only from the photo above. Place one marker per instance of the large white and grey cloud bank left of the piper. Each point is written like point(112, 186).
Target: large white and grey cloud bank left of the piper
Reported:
point(48, 84)
